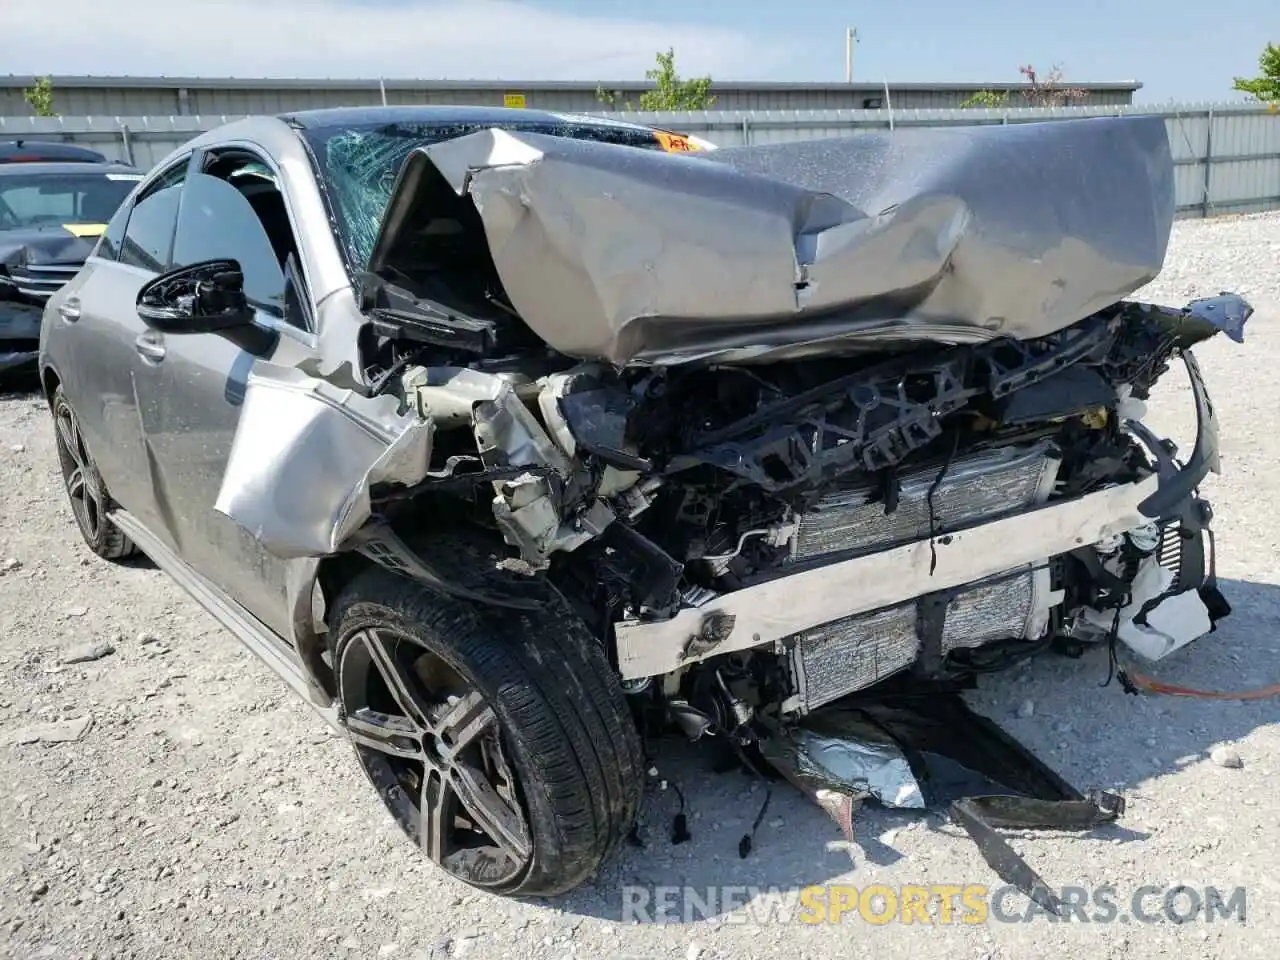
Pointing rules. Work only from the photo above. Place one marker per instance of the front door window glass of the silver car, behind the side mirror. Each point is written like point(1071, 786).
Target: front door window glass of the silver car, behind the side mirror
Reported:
point(218, 223)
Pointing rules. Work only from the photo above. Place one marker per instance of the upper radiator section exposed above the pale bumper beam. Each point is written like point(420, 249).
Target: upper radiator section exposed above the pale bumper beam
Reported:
point(973, 491)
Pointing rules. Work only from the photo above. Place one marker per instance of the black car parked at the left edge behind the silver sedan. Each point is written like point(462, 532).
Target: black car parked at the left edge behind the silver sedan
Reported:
point(56, 200)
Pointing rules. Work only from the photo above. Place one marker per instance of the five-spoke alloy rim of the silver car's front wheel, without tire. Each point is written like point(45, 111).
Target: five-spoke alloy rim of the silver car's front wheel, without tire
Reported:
point(433, 747)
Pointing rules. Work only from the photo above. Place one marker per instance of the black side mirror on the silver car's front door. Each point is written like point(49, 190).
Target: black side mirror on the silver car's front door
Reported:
point(205, 298)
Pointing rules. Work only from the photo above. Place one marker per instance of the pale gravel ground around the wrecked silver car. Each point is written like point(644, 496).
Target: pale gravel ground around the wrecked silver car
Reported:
point(207, 813)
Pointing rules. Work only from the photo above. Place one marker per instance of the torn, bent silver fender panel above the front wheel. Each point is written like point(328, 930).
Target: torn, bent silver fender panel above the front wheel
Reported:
point(305, 458)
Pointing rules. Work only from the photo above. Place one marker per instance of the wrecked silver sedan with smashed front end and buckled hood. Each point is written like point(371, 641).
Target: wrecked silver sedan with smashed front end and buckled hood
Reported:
point(505, 437)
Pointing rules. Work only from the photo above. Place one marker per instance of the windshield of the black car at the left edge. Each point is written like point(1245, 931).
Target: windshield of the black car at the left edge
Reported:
point(56, 199)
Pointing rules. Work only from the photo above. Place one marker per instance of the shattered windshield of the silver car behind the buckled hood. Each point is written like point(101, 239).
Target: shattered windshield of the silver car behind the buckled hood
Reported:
point(359, 166)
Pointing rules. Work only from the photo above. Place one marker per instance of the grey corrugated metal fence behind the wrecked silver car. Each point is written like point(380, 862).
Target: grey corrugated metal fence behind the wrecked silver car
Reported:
point(1228, 156)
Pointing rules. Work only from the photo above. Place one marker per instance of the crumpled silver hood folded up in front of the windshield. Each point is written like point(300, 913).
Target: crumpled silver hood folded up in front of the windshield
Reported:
point(956, 235)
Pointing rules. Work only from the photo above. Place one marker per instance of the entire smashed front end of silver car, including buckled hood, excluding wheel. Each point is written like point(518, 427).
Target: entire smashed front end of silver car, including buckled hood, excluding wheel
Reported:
point(757, 541)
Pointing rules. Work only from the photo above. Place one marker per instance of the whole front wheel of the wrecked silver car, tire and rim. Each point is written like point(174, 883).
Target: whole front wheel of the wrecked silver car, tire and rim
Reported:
point(557, 714)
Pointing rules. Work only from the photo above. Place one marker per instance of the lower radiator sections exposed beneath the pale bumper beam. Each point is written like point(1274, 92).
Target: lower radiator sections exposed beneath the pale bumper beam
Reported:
point(851, 655)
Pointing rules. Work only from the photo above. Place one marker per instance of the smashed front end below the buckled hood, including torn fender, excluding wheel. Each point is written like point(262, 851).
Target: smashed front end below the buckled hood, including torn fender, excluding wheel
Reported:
point(934, 513)
